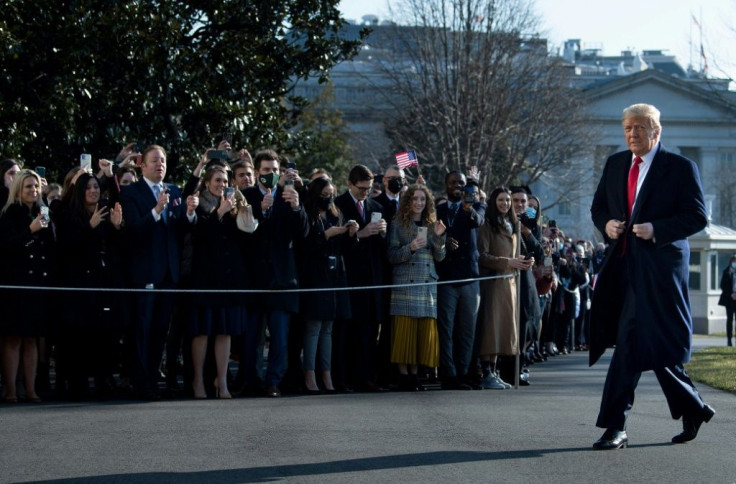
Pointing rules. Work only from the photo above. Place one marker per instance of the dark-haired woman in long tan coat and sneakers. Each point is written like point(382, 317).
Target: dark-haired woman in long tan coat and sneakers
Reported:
point(498, 257)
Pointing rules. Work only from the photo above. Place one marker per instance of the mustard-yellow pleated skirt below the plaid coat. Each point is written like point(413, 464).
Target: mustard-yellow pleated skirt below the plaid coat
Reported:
point(415, 341)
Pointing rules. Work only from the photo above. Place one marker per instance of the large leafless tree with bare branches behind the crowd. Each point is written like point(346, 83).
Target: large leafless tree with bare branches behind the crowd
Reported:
point(476, 87)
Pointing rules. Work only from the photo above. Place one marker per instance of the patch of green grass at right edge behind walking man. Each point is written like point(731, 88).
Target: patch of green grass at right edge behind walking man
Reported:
point(715, 366)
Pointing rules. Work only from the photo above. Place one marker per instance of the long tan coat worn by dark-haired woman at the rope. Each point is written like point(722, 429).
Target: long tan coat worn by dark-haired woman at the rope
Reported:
point(497, 316)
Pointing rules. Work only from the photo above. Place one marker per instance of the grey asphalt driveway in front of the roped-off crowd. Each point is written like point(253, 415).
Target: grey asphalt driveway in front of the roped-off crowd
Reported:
point(540, 433)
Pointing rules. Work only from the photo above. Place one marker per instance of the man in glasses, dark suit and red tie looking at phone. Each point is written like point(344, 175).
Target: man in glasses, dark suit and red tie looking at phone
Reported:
point(364, 266)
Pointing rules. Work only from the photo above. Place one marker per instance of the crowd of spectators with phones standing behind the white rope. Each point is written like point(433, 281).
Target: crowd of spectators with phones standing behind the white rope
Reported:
point(144, 289)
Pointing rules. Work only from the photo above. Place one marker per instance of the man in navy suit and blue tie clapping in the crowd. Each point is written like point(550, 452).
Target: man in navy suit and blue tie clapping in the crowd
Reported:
point(155, 221)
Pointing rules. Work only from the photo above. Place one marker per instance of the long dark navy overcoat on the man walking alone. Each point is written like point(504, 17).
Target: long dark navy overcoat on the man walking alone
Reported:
point(671, 199)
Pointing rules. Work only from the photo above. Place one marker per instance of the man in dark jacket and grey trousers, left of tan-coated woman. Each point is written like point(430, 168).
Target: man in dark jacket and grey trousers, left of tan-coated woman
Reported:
point(457, 304)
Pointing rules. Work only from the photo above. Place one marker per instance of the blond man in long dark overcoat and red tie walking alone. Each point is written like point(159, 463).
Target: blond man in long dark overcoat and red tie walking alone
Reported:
point(641, 302)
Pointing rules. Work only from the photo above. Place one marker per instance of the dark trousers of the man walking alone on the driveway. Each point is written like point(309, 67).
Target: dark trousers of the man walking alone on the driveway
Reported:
point(623, 377)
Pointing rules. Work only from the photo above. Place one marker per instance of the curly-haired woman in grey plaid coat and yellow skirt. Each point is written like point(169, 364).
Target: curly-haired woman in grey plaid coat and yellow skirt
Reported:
point(416, 241)
